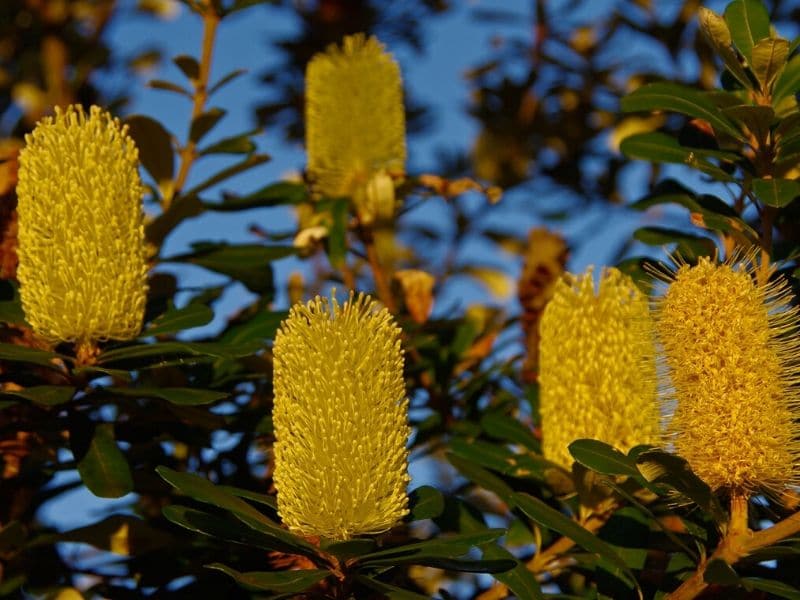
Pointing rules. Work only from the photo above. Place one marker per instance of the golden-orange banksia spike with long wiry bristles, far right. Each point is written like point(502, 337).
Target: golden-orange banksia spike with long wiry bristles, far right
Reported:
point(732, 353)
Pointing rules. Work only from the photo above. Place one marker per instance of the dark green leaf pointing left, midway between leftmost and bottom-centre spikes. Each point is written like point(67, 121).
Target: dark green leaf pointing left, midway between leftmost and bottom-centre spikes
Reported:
point(247, 263)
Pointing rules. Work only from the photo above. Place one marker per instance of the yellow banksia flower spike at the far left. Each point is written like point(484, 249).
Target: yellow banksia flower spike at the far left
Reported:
point(82, 269)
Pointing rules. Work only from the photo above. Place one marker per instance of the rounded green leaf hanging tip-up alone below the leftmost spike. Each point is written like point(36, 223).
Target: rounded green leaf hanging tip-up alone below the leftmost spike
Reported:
point(104, 469)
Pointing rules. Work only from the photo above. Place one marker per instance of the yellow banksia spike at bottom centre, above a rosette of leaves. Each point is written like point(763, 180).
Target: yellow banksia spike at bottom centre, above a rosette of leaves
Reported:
point(341, 419)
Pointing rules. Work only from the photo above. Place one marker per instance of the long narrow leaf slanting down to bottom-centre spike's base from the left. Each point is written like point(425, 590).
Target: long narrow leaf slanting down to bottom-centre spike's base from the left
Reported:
point(203, 490)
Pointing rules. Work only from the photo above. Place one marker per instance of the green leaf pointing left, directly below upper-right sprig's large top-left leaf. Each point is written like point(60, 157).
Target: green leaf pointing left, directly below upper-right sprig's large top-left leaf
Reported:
point(660, 147)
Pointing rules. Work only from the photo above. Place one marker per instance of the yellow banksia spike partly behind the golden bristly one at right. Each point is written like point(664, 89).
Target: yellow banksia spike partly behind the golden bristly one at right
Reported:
point(597, 367)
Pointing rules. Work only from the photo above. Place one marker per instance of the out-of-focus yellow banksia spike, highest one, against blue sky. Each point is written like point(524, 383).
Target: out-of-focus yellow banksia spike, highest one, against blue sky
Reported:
point(355, 125)
